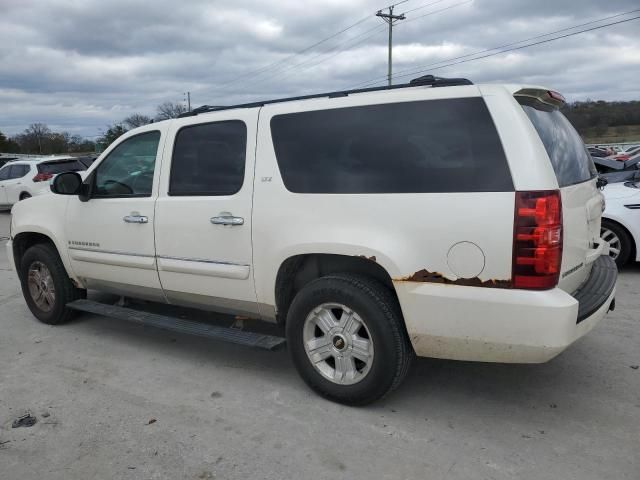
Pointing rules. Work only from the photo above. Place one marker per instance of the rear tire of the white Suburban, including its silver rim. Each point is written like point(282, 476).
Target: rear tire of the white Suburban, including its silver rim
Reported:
point(373, 330)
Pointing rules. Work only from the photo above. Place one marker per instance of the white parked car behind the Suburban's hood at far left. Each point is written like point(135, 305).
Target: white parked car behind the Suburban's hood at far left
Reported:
point(22, 179)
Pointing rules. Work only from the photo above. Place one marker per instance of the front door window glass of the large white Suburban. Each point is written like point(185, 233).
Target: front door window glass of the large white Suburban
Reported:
point(129, 168)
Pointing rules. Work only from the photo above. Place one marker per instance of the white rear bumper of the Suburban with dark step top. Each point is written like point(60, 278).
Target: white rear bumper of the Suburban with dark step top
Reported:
point(502, 325)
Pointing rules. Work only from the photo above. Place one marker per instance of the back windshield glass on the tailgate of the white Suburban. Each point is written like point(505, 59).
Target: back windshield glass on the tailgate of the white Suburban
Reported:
point(569, 157)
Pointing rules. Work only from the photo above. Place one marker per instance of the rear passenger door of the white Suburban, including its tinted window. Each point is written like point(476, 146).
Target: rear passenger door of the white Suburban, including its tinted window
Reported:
point(203, 213)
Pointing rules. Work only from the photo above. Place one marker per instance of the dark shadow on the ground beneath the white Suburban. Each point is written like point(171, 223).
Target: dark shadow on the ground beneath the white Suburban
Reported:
point(434, 381)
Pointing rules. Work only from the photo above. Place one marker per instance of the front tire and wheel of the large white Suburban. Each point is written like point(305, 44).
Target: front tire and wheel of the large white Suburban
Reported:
point(47, 271)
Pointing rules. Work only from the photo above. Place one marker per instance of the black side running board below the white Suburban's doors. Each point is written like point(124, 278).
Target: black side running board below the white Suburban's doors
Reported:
point(179, 325)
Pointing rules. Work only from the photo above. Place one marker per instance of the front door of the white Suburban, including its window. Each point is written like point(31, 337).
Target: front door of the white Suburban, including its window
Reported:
point(110, 236)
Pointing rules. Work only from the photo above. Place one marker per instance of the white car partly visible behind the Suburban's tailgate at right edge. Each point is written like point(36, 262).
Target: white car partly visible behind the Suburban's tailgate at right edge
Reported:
point(621, 221)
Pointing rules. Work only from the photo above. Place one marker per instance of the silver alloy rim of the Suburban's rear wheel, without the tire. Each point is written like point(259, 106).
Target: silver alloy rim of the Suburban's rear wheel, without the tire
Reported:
point(338, 343)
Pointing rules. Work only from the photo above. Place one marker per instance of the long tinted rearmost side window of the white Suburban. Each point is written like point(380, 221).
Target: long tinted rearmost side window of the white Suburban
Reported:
point(414, 147)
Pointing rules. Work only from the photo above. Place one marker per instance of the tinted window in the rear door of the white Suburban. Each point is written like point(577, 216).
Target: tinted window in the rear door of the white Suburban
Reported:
point(209, 159)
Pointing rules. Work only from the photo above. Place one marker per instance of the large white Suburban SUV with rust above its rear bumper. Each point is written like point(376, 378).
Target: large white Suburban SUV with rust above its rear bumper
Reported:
point(439, 218)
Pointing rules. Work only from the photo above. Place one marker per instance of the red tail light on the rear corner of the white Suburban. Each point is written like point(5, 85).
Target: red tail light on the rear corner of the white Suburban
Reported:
point(537, 240)
